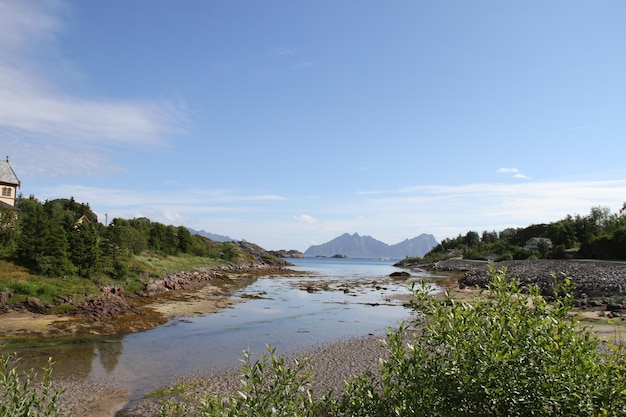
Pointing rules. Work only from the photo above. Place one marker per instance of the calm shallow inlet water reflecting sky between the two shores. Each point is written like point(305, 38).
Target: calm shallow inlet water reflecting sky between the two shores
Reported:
point(284, 312)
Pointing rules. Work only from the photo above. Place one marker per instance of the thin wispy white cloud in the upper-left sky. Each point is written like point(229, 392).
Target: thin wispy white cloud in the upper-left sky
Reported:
point(36, 110)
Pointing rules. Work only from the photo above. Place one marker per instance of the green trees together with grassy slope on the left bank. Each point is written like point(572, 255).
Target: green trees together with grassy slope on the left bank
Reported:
point(62, 241)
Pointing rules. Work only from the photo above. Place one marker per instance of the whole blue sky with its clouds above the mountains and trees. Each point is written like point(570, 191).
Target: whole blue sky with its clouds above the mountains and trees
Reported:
point(289, 123)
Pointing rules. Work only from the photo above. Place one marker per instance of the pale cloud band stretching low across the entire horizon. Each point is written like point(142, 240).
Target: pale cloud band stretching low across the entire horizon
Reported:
point(388, 215)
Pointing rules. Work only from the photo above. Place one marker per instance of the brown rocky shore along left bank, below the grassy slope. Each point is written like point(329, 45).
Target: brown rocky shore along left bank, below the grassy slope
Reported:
point(114, 312)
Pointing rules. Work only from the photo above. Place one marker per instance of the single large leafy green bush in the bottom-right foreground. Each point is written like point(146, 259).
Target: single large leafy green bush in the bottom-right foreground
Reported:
point(506, 354)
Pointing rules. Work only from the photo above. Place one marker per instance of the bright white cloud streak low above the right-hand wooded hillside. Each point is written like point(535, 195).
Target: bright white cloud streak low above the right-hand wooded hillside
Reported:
point(485, 206)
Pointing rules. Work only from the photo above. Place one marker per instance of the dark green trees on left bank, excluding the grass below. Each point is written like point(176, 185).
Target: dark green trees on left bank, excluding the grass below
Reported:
point(62, 237)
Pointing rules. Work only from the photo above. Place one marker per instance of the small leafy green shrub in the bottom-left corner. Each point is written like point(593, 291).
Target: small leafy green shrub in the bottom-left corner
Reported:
point(22, 396)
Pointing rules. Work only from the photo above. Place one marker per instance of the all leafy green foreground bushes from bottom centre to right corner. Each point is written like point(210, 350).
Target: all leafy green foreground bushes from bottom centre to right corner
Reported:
point(506, 353)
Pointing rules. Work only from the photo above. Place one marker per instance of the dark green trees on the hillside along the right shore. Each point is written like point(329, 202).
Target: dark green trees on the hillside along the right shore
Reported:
point(599, 235)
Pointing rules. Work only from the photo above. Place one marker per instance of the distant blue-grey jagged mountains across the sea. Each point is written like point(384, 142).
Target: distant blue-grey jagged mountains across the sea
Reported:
point(356, 246)
